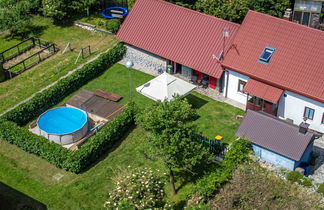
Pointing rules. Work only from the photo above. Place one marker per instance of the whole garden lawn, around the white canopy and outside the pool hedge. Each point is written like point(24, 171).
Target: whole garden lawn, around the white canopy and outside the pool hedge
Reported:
point(33, 176)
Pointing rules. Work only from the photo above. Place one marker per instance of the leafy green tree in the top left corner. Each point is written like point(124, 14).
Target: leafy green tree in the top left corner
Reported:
point(14, 15)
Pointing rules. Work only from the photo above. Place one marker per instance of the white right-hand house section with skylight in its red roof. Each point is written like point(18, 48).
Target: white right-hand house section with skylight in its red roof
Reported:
point(277, 66)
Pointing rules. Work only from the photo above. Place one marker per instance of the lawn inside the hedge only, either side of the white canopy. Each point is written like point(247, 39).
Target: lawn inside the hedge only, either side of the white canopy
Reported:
point(216, 118)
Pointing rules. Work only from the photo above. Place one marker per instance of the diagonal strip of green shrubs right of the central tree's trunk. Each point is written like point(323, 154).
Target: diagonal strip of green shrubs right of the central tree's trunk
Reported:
point(220, 174)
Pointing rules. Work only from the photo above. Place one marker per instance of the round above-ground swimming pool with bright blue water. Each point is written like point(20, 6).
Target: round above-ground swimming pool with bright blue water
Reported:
point(63, 125)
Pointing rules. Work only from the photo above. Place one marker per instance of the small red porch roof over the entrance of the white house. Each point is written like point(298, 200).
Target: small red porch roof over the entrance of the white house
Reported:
point(264, 91)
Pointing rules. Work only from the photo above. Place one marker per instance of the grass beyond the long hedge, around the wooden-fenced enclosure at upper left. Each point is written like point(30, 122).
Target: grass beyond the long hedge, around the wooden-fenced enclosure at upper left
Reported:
point(24, 85)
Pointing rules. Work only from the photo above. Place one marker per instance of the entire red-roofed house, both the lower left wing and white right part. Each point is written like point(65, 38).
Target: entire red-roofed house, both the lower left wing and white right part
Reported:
point(266, 63)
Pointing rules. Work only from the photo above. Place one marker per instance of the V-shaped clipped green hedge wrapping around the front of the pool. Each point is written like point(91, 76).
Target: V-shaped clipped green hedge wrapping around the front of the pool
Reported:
point(74, 161)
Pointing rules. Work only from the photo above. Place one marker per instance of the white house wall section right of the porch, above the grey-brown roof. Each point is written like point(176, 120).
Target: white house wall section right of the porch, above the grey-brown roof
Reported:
point(292, 106)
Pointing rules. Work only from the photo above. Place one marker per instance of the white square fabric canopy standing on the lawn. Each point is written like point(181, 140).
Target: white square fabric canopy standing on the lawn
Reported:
point(165, 87)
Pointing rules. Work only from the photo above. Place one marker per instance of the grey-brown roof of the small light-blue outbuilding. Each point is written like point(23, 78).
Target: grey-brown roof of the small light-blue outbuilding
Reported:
point(274, 134)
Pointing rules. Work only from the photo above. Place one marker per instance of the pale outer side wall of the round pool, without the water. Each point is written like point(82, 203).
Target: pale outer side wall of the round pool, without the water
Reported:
point(68, 138)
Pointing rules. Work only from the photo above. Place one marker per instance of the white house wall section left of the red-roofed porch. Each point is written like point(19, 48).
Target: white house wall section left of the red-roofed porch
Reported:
point(233, 81)
